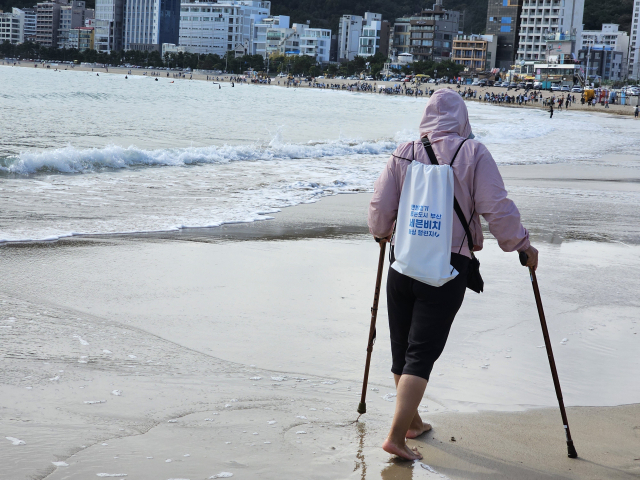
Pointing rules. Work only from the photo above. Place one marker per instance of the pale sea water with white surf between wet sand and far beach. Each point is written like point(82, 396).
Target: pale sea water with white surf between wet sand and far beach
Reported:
point(89, 154)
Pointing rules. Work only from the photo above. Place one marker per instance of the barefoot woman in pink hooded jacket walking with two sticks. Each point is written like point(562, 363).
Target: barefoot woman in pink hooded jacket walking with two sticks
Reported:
point(420, 315)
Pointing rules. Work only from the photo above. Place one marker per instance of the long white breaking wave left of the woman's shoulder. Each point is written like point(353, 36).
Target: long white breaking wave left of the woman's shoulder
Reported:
point(74, 160)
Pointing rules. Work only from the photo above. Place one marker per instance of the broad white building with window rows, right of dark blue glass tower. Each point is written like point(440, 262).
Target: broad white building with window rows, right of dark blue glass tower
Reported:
point(220, 27)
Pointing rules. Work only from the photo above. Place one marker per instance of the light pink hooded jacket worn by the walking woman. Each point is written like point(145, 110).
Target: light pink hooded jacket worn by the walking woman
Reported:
point(479, 187)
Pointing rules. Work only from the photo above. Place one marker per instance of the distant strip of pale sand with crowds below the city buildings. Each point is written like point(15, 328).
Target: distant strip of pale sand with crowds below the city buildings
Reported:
point(621, 110)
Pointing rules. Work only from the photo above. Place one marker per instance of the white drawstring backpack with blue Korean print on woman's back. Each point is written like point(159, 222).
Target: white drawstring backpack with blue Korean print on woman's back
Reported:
point(424, 227)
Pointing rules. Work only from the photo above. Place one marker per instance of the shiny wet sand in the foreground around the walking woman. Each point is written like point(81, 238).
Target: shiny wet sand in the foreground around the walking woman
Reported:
point(240, 349)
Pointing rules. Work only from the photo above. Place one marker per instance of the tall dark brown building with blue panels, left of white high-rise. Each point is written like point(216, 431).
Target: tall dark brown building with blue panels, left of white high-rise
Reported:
point(503, 21)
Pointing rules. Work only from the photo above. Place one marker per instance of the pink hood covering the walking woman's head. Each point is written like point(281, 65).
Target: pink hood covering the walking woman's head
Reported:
point(446, 114)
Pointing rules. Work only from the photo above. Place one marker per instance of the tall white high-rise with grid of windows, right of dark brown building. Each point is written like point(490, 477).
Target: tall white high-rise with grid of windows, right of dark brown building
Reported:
point(541, 18)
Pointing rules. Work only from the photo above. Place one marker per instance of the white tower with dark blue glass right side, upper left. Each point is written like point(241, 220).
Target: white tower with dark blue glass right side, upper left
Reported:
point(150, 23)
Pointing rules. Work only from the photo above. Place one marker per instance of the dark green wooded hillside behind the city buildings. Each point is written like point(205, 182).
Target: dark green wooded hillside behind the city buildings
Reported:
point(325, 13)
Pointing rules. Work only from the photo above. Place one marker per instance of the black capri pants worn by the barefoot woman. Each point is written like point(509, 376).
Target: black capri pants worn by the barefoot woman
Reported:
point(420, 318)
